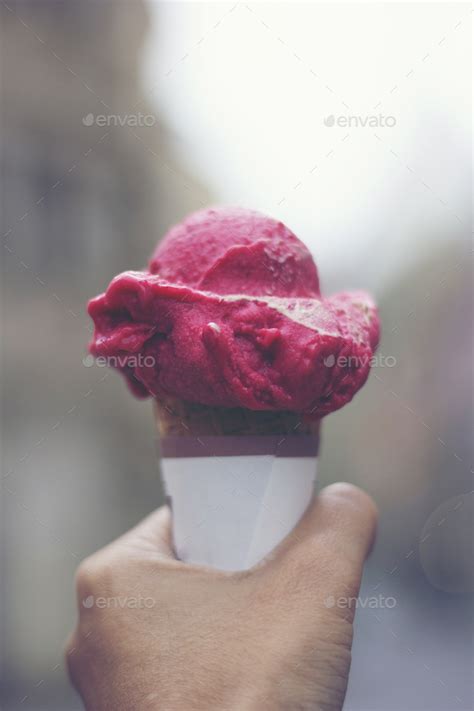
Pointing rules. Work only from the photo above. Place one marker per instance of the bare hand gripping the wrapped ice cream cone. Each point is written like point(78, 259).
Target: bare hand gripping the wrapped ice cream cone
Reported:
point(154, 633)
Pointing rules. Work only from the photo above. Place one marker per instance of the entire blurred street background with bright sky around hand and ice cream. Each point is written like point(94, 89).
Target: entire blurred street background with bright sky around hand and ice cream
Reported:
point(351, 123)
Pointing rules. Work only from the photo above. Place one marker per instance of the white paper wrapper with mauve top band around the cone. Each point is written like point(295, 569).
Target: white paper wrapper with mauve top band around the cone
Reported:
point(230, 511)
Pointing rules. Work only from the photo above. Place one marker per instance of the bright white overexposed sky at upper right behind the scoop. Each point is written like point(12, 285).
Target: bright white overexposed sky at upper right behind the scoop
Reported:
point(245, 90)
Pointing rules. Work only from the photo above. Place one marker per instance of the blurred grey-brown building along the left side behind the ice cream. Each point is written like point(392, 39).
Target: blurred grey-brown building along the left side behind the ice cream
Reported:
point(81, 202)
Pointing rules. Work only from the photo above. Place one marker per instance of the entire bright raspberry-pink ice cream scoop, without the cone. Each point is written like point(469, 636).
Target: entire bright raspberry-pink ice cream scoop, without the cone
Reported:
point(230, 314)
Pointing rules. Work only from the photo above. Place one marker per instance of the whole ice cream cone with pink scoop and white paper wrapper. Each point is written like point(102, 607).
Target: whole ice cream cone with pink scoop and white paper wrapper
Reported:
point(229, 311)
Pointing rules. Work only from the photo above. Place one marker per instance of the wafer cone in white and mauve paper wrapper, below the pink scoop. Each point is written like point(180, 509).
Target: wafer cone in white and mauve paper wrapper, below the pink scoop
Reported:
point(238, 480)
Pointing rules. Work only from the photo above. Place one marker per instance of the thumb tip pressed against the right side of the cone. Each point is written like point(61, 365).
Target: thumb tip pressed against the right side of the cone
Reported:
point(334, 537)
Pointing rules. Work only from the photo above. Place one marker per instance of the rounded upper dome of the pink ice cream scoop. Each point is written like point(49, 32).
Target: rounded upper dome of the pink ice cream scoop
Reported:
point(236, 251)
